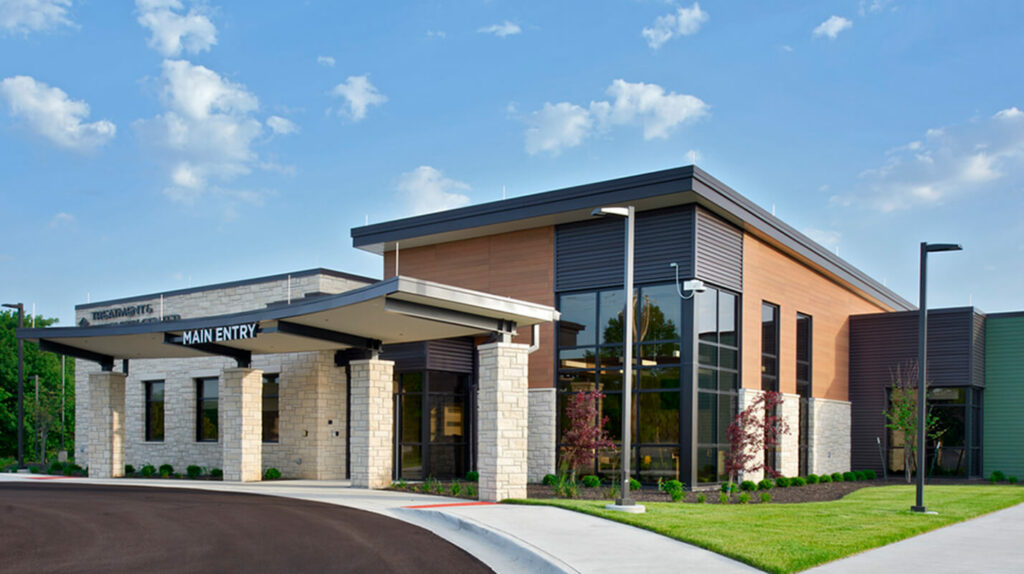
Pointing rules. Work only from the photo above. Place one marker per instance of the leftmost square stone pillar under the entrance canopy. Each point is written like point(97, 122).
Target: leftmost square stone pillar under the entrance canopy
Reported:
point(107, 425)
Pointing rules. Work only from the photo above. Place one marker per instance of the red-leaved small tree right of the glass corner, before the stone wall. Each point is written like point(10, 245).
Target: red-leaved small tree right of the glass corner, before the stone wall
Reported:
point(752, 433)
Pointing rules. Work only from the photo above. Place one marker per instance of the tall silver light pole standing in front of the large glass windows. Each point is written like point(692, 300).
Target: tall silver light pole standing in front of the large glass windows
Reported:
point(625, 502)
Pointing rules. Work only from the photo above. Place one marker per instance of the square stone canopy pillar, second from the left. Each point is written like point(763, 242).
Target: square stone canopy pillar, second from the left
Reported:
point(241, 423)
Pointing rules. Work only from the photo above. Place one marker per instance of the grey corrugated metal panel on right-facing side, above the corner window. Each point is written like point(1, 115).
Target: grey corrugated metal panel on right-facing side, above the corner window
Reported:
point(719, 252)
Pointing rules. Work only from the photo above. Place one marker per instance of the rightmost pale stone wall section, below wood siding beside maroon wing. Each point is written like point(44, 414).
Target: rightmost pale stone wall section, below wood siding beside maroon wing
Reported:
point(829, 436)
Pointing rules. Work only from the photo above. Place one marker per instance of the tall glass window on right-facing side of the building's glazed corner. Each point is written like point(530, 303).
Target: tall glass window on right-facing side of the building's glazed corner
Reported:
point(718, 380)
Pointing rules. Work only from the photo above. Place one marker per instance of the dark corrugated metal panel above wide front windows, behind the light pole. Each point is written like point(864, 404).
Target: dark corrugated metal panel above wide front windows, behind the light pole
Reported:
point(590, 254)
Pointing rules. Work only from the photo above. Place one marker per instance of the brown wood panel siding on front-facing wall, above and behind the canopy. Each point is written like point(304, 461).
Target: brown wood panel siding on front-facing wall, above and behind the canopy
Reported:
point(520, 264)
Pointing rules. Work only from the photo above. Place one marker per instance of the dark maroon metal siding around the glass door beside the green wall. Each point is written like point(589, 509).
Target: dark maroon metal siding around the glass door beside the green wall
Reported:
point(881, 342)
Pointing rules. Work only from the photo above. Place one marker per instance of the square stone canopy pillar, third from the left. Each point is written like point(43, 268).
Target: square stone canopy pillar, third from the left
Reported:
point(372, 439)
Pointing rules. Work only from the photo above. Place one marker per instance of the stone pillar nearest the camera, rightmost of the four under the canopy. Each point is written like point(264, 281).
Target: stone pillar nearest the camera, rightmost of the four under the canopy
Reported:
point(503, 409)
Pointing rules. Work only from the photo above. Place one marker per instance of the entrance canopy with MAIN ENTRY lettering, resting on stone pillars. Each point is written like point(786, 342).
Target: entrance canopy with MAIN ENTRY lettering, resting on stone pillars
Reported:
point(397, 311)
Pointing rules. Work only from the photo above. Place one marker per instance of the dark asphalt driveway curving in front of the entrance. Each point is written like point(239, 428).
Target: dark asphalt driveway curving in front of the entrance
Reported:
point(56, 526)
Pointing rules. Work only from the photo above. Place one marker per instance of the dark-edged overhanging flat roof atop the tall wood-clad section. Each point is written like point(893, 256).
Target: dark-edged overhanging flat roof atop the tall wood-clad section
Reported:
point(675, 187)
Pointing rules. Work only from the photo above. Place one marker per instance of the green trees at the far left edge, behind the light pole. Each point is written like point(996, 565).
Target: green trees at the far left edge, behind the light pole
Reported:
point(48, 367)
